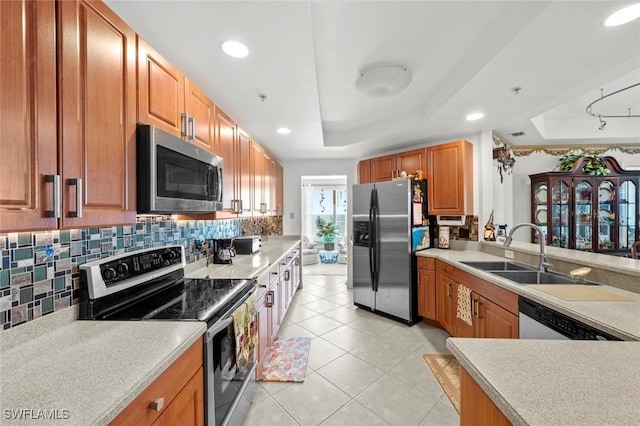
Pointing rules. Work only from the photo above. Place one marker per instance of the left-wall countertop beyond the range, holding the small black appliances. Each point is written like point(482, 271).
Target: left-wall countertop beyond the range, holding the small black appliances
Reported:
point(246, 265)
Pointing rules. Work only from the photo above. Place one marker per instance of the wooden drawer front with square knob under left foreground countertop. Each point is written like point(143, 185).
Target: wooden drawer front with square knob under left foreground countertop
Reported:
point(166, 386)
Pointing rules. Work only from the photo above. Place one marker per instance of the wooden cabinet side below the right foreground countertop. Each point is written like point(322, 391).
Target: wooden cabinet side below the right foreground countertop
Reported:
point(476, 408)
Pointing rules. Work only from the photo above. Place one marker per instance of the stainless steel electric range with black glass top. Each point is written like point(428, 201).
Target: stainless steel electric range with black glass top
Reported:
point(150, 285)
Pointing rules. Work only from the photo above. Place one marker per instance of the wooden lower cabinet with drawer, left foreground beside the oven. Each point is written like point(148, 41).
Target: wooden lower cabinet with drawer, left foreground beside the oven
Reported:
point(174, 398)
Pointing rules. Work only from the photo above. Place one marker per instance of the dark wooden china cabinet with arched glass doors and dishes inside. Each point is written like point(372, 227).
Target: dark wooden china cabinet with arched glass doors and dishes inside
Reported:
point(593, 213)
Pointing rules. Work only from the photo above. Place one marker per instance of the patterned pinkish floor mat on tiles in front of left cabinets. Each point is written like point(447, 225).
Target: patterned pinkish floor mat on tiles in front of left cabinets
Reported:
point(286, 360)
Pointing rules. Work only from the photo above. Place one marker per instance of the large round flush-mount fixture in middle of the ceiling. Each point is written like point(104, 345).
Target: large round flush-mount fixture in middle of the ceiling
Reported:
point(383, 81)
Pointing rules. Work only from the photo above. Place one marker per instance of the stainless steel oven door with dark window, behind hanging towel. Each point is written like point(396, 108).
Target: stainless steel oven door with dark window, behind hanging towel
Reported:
point(228, 394)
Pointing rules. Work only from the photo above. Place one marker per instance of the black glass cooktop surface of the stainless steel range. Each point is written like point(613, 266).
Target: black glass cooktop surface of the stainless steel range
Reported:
point(187, 299)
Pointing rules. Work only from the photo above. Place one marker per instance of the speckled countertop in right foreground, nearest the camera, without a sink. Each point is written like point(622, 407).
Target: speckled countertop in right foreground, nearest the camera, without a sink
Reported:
point(555, 382)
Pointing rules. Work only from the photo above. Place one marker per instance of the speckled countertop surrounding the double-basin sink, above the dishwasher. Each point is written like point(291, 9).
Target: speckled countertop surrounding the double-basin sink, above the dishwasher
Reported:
point(621, 319)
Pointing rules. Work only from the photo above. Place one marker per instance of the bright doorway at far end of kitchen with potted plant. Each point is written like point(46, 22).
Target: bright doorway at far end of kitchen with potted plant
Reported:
point(324, 225)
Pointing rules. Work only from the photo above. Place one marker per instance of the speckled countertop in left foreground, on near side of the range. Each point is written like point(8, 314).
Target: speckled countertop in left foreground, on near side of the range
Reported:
point(88, 371)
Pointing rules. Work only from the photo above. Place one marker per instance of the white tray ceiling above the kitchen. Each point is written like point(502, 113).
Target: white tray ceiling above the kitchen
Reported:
point(465, 56)
